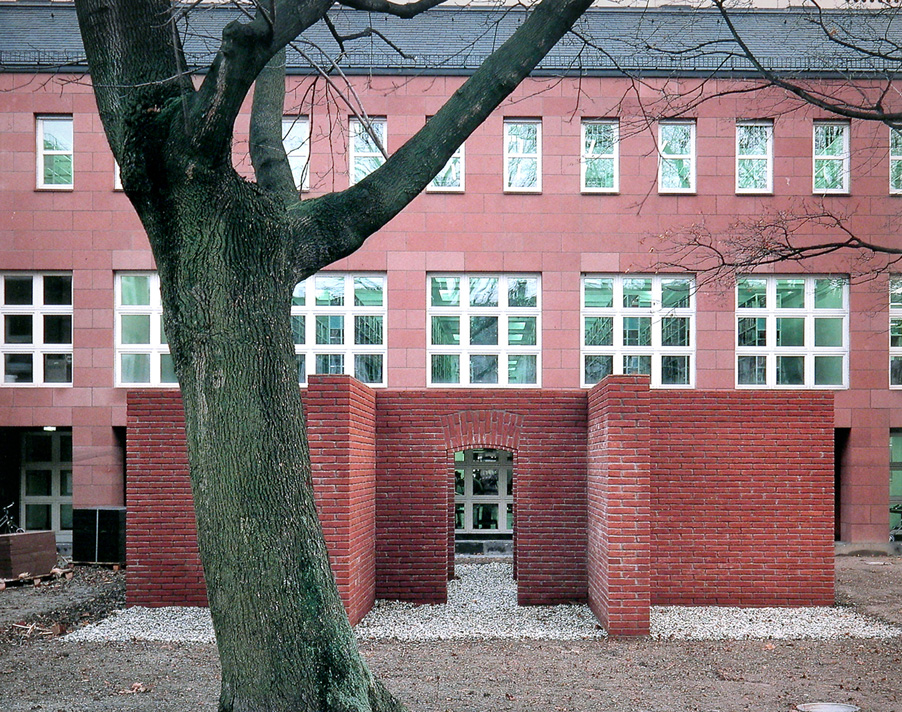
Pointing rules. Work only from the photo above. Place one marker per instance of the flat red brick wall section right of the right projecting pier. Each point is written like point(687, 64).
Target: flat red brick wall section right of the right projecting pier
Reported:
point(742, 498)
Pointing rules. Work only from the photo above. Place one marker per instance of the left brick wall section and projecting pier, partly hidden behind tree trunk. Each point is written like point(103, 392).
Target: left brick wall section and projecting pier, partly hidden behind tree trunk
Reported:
point(164, 566)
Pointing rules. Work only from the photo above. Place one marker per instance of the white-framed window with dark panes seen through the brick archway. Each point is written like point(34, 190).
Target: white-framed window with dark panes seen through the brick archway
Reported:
point(483, 491)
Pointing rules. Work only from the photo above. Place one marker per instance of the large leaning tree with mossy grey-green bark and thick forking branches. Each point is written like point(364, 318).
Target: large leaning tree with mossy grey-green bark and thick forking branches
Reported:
point(229, 252)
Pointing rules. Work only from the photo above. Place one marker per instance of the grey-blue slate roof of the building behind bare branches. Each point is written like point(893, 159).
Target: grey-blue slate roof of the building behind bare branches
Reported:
point(36, 34)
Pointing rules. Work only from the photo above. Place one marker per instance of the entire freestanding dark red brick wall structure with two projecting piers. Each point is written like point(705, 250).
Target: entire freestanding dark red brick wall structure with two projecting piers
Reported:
point(624, 496)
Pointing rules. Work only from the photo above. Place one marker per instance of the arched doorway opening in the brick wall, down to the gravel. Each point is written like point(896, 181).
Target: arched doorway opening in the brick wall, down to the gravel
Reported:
point(484, 501)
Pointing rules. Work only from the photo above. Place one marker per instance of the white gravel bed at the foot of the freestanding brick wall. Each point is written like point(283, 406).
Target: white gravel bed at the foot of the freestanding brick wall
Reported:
point(482, 603)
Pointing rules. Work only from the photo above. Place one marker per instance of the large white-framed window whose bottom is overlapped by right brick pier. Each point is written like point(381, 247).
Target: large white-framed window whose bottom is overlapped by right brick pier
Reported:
point(639, 324)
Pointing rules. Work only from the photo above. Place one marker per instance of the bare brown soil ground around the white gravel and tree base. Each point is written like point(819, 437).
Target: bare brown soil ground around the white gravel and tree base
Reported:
point(38, 672)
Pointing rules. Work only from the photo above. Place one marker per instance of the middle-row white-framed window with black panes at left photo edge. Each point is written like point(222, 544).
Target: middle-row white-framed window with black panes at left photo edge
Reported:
point(37, 328)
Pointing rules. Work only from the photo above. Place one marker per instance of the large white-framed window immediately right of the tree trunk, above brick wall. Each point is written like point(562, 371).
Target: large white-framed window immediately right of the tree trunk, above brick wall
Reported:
point(338, 325)
